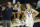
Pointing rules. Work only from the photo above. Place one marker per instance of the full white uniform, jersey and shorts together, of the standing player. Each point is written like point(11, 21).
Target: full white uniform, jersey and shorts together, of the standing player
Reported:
point(29, 18)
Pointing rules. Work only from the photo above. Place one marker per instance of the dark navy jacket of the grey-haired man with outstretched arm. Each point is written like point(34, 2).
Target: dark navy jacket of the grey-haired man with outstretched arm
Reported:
point(7, 13)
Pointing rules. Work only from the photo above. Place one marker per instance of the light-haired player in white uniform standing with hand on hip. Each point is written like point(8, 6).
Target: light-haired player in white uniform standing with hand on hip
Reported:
point(30, 14)
